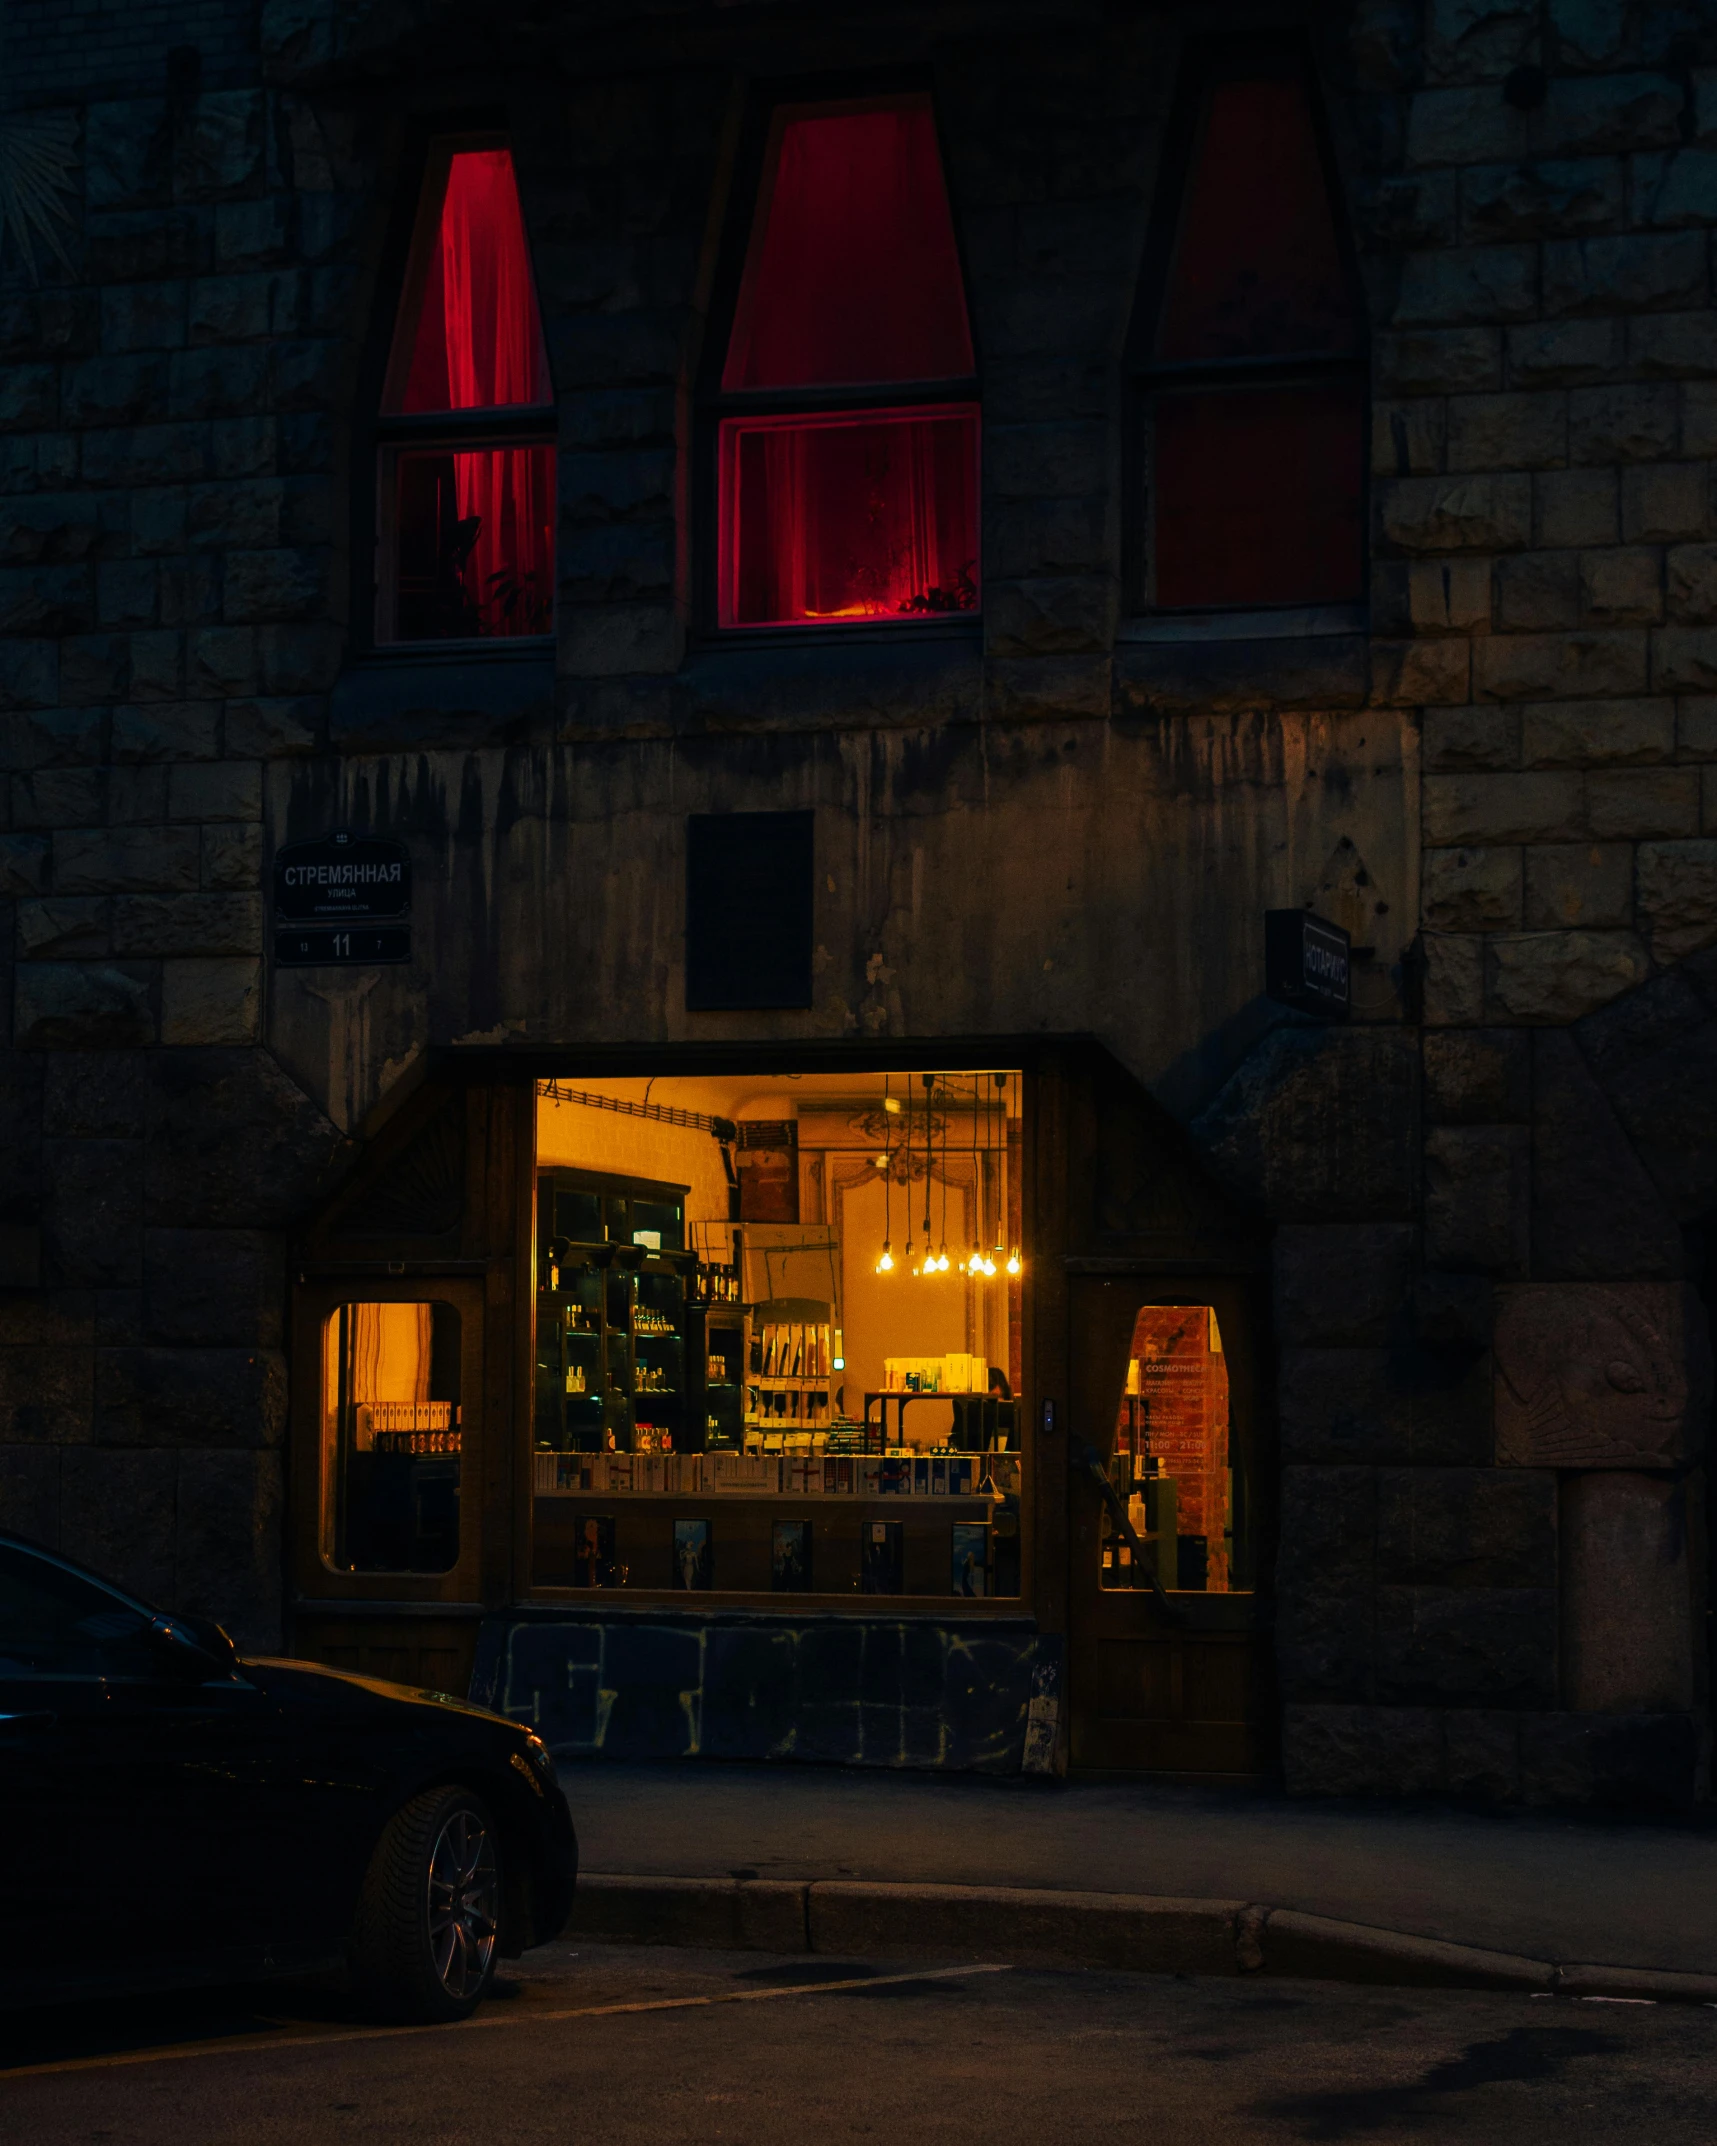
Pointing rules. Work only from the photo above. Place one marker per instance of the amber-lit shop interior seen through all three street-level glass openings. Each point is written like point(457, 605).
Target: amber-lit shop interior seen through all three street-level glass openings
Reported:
point(776, 1351)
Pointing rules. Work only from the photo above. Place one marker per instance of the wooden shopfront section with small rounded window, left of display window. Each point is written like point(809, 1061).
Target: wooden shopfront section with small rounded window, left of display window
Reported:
point(437, 1216)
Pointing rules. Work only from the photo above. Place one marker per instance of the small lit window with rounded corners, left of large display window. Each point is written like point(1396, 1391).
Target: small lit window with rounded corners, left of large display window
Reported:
point(392, 1439)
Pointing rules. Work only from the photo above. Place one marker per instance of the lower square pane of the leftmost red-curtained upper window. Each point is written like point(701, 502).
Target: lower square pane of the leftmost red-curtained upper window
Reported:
point(475, 544)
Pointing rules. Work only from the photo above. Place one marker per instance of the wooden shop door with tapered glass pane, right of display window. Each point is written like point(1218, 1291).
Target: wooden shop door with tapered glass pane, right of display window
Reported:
point(1162, 1692)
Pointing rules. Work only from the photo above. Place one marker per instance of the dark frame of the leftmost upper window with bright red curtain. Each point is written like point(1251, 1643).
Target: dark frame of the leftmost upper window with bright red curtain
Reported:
point(390, 435)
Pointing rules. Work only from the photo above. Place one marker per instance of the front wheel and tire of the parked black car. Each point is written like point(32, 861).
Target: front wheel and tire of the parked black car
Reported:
point(428, 1930)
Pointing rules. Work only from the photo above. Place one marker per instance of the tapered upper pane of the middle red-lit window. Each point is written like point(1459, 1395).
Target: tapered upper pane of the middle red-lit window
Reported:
point(853, 269)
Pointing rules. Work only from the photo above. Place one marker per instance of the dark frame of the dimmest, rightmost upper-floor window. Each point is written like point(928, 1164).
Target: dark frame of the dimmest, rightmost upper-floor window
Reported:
point(1147, 374)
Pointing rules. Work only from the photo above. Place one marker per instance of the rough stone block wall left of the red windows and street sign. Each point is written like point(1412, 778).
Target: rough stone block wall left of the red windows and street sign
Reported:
point(166, 574)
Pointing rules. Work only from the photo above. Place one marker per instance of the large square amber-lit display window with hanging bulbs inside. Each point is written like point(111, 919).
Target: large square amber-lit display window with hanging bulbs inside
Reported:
point(778, 1336)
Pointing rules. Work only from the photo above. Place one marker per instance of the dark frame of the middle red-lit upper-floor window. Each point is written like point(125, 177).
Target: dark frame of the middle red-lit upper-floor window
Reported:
point(714, 405)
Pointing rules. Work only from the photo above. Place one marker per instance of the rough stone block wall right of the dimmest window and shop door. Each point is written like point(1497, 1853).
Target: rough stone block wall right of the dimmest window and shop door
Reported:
point(1544, 499)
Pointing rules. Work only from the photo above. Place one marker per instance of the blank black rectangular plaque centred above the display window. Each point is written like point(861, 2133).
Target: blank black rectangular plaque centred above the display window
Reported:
point(748, 911)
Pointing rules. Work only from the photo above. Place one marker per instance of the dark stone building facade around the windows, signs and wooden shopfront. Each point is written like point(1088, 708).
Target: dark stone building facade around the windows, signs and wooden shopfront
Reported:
point(1491, 1192)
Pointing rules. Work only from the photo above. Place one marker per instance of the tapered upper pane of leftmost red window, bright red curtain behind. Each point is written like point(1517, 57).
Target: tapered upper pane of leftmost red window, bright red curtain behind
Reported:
point(478, 340)
